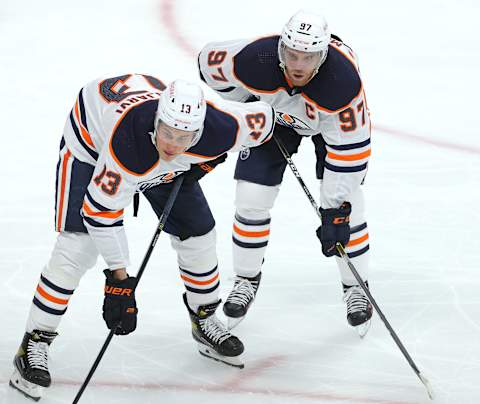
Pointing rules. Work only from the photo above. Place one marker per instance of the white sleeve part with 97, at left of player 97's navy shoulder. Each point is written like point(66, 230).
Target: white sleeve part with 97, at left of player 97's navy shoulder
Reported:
point(215, 64)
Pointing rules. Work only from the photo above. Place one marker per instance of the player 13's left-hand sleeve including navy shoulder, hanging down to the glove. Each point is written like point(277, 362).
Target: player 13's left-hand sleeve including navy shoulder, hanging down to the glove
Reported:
point(127, 155)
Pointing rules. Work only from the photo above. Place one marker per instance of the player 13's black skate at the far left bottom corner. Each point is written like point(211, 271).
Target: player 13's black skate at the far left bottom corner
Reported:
point(31, 374)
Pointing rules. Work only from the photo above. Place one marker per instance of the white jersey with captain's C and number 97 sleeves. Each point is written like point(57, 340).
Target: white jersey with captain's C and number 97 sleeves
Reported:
point(332, 104)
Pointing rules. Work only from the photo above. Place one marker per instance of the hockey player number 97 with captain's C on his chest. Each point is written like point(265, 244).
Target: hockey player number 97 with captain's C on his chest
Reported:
point(312, 80)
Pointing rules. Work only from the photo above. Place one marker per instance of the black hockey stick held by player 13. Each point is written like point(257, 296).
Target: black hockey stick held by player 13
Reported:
point(161, 224)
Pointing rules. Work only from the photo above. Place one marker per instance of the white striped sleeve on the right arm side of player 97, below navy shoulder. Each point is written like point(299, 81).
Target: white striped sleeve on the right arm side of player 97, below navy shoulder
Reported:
point(347, 137)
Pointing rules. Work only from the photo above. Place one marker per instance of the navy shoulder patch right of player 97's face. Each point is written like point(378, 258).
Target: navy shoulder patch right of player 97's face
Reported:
point(336, 84)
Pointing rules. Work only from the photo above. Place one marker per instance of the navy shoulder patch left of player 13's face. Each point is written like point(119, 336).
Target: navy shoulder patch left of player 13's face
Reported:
point(131, 144)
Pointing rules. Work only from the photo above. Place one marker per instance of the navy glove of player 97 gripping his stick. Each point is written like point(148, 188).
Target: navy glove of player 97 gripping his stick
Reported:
point(335, 228)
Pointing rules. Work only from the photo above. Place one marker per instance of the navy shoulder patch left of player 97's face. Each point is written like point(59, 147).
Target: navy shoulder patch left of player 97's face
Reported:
point(257, 65)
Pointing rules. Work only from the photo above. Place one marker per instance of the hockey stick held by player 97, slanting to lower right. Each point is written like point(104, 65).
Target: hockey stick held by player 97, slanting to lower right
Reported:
point(346, 259)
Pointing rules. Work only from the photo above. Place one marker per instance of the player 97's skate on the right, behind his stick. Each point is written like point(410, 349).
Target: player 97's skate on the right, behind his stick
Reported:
point(359, 309)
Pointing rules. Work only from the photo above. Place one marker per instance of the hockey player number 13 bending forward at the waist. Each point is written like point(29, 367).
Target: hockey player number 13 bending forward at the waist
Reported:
point(125, 135)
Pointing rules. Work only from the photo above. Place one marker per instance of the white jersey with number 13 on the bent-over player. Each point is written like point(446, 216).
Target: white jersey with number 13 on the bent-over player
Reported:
point(110, 127)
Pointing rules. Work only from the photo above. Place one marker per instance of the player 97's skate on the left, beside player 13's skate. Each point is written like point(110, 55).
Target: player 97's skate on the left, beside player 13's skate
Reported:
point(240, 298)
